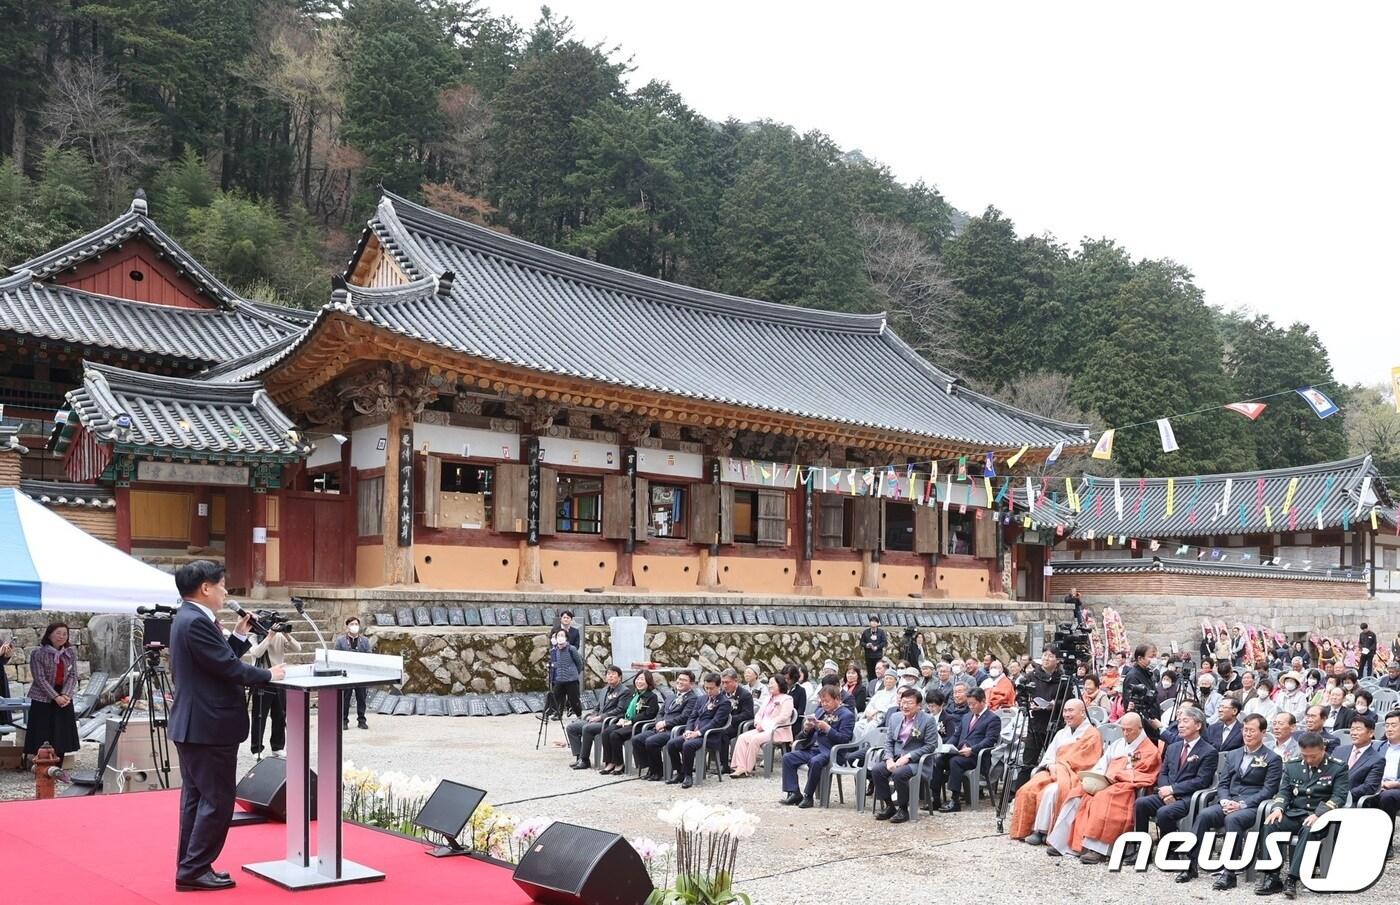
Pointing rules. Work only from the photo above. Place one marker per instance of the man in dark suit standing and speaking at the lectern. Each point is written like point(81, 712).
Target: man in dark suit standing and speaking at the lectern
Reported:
point(208, 721)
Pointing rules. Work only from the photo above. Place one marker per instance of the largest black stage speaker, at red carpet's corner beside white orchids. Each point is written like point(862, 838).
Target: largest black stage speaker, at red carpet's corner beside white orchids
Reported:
point(579, 866)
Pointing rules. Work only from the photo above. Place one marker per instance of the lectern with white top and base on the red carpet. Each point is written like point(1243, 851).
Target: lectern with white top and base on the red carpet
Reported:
point(302, 869)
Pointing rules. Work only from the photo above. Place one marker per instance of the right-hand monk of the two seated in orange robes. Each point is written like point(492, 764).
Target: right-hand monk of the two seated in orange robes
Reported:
point(1130, 764)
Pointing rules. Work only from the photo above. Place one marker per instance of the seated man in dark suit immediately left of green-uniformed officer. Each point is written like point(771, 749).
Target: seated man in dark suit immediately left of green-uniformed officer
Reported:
point(1252, 775)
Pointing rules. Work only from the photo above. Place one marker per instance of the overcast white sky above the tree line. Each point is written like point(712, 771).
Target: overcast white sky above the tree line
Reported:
point(1254, 142)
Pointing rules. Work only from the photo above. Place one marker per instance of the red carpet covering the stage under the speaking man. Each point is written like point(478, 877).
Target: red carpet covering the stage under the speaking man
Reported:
point(120, 850)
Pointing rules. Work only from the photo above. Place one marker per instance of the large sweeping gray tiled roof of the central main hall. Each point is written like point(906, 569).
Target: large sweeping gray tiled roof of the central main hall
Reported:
point(507, 300)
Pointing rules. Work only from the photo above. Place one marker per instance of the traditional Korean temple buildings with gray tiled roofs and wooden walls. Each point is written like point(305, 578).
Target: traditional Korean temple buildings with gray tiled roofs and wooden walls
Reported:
point(475, 413)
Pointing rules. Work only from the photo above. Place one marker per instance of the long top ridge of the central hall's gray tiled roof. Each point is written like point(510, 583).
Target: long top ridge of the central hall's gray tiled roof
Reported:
point(398, 215)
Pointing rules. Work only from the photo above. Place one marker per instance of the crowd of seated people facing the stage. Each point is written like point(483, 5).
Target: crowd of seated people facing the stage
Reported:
point(1233, 750)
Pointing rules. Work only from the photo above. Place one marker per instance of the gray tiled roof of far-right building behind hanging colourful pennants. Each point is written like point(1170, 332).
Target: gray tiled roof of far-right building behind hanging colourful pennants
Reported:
point(1346, 478)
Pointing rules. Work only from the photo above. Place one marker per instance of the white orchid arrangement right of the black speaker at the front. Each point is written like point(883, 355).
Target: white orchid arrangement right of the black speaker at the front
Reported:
point(706, 852)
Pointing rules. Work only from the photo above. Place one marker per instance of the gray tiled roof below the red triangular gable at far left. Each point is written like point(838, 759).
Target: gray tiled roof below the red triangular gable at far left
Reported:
point(30, 308)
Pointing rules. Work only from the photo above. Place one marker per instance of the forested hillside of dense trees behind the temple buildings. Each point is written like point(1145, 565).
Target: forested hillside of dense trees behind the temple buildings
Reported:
point(264, 130)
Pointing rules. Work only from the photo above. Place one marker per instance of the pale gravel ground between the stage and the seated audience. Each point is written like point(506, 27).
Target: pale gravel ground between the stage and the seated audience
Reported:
point(797, 858)
